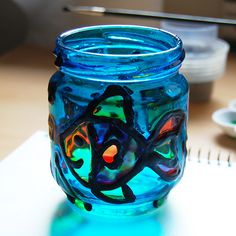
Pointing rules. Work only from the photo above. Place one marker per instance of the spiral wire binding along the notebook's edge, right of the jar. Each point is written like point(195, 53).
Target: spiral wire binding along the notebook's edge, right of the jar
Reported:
point(217, 156)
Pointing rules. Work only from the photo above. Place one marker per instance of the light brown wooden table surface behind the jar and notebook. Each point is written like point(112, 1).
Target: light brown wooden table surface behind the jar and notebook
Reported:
point(24, 75)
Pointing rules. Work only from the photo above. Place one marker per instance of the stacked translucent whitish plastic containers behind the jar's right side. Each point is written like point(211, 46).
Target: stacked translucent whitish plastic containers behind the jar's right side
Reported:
point(206, 54)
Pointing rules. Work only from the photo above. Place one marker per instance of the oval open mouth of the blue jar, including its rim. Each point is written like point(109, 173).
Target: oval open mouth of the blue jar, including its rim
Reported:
point(119, 41)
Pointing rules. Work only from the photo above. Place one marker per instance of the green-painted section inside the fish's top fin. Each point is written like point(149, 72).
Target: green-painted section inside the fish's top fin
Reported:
point(111, 107)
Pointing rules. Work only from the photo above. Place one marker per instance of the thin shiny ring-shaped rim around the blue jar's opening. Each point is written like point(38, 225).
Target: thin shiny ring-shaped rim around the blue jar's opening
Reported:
point(61, 41)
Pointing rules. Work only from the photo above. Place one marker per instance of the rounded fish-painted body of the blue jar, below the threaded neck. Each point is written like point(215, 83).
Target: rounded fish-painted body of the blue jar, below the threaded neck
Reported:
point(118, 146)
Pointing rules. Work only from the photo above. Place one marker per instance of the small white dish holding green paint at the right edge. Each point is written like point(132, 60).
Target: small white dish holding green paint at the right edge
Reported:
point(226, 120)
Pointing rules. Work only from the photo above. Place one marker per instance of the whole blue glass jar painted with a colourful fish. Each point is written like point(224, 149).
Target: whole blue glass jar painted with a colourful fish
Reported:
point(117, 122)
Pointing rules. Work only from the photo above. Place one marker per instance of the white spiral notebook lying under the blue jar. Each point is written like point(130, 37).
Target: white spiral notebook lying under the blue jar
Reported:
point(203, 203)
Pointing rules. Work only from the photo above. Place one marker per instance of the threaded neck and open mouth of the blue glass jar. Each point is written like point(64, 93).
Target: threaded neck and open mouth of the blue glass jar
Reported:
point(115, 53)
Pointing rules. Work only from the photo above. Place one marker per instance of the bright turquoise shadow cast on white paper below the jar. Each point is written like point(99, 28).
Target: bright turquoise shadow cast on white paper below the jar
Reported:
point(67, 221)
